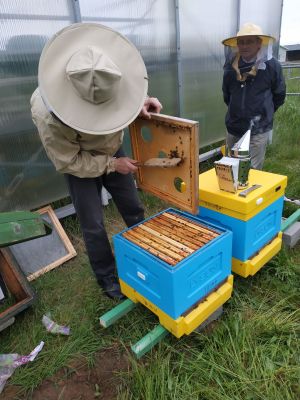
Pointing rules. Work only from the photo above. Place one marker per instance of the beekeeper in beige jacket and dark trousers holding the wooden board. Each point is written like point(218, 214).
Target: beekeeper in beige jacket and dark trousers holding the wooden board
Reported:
point(92, 84)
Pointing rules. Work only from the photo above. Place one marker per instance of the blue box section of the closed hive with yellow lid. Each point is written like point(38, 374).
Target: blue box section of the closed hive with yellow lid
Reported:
point(249, 236)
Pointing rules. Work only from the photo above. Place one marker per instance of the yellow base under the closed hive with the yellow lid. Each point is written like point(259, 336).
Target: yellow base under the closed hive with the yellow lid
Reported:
point(251, 266)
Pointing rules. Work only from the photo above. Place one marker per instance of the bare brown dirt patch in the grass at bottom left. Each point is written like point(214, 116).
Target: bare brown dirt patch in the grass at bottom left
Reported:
point(79, 382)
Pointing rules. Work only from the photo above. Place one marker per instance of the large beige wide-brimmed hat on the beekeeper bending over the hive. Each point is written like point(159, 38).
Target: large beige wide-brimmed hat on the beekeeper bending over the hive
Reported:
point(92, 78)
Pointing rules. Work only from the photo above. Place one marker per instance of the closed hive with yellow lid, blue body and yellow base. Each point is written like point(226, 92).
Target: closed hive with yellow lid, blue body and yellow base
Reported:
point(254, 220)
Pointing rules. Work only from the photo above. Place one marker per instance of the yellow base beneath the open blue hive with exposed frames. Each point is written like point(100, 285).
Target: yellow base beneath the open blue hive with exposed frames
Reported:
point(185, 325)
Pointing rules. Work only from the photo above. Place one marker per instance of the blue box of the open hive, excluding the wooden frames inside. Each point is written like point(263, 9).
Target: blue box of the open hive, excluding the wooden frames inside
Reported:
point(174, 289)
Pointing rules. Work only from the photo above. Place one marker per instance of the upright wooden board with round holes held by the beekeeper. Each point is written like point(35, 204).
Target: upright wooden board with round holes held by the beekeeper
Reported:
point(168, 137)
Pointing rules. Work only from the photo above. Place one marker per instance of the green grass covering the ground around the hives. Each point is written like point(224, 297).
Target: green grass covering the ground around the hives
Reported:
point(251, 353)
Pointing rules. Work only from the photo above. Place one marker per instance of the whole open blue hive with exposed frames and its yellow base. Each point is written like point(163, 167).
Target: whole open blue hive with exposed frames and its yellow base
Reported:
point(172, 262)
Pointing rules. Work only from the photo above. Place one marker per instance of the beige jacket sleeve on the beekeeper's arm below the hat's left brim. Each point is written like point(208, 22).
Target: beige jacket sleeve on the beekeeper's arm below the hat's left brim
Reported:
point(66, 154)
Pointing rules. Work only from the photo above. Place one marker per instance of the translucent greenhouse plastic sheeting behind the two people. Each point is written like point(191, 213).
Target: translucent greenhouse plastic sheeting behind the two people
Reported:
point(179, 41)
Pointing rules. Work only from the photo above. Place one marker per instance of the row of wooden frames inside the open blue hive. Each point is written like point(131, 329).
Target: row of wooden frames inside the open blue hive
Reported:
point(170, 237)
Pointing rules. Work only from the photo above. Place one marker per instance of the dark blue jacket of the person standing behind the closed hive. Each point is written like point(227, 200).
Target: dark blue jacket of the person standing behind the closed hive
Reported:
point(258, 96)
